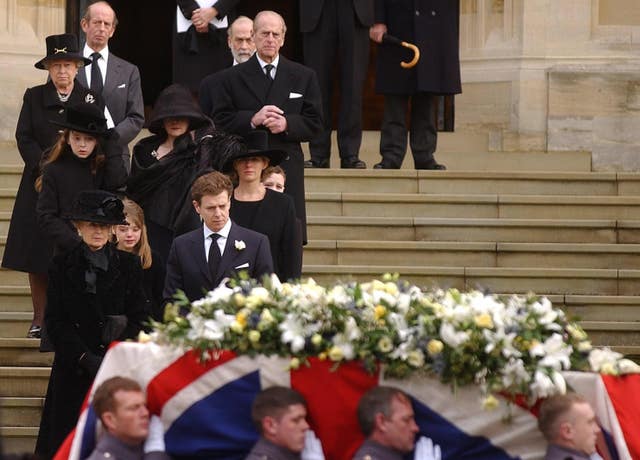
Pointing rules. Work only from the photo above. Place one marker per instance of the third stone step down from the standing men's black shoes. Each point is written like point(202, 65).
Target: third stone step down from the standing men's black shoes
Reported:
point(473, 229)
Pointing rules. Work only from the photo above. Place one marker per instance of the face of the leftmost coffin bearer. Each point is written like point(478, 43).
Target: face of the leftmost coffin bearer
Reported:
point(130, 420)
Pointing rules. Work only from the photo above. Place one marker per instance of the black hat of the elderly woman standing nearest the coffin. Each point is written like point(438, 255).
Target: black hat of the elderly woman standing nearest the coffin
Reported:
point(98, 206)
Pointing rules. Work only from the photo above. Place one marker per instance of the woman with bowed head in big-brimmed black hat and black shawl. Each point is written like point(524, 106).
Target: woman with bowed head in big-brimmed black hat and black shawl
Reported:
point(163, 165)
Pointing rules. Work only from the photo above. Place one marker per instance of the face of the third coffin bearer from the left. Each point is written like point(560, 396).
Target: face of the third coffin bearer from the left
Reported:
point(399, 430)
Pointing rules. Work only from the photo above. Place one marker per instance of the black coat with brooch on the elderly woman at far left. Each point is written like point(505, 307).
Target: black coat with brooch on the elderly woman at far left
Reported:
point(27, 248)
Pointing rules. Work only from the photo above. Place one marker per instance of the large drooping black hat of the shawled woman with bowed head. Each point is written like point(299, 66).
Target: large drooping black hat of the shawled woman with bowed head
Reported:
point(176, 101)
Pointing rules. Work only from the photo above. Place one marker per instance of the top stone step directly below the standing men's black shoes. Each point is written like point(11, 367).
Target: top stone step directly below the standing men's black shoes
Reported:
point(472, 182)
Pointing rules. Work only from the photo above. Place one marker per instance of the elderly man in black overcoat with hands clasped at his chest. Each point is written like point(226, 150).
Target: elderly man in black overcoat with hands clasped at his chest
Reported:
point(272, 93)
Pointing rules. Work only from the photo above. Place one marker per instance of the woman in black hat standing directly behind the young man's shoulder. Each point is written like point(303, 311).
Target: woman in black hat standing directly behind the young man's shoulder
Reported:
point(255, 207)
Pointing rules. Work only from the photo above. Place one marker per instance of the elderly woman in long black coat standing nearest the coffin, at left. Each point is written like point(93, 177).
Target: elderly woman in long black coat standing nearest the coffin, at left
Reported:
point(94, 297)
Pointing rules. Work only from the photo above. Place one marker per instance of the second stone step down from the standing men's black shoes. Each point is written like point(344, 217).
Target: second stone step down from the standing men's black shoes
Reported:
point(472, 206)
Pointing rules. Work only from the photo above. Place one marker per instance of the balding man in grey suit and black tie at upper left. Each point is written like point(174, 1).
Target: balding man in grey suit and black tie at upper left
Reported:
point(117, 80)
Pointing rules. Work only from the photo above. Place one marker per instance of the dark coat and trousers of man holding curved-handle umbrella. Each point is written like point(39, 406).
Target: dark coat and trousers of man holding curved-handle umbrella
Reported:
point(432, 25)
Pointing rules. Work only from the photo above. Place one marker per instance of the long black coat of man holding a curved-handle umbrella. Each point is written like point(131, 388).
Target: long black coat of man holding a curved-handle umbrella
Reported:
point(433, 26)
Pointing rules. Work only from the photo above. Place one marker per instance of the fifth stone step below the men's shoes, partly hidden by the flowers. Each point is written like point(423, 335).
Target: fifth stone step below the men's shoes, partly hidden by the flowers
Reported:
point(515, 280)
